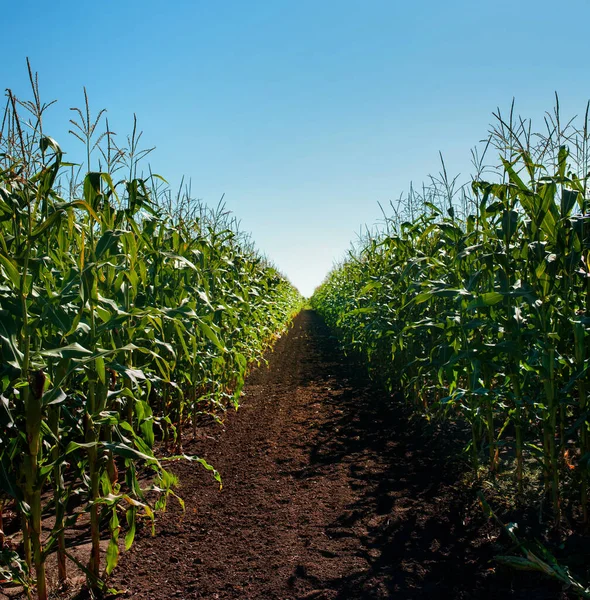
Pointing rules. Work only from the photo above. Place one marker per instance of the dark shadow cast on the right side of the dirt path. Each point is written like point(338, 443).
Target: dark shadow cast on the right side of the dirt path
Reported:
point(419, 528)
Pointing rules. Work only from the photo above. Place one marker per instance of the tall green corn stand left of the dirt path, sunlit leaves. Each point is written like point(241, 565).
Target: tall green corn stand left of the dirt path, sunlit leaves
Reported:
point(127, 314)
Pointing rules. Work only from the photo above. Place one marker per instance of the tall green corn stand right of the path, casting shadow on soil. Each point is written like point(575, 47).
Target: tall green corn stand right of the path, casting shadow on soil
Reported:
point(473, 304)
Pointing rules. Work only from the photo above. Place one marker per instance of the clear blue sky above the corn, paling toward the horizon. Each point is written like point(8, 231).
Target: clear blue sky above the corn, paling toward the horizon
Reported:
point(305, 114)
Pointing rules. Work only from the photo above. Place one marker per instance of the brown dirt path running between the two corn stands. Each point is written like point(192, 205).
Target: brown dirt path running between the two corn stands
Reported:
point(327, 494)
